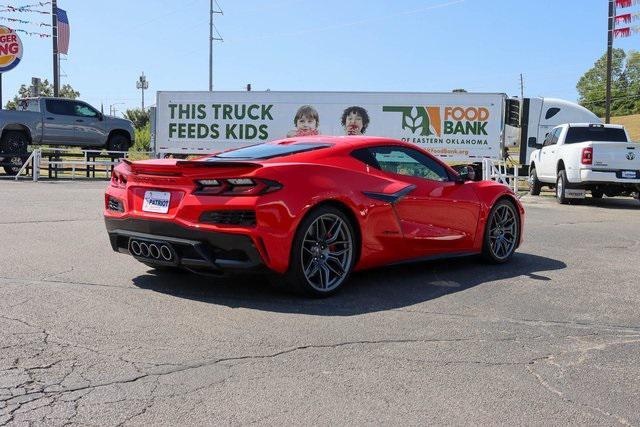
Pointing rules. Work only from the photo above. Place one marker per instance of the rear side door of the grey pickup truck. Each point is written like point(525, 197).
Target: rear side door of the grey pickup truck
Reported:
point(58, 122)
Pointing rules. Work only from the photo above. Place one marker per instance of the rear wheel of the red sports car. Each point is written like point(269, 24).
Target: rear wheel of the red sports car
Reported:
point(323, 253)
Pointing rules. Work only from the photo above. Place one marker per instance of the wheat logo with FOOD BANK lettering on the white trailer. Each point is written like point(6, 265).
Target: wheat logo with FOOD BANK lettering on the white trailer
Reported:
point(429, 121)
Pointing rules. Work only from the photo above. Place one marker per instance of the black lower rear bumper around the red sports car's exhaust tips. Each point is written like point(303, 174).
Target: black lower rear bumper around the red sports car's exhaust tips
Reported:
point(200, 251)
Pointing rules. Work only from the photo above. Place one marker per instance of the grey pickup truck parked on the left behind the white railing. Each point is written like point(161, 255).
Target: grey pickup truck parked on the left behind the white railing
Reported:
point(59, 122)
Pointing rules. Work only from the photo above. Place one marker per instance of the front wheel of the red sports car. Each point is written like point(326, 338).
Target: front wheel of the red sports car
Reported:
point(501, 233)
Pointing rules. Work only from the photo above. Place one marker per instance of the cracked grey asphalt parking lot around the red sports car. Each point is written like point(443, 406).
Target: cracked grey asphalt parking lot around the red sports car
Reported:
point(88, 336)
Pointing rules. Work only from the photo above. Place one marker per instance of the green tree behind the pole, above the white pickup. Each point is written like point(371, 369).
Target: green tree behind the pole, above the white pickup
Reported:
point(625, 84)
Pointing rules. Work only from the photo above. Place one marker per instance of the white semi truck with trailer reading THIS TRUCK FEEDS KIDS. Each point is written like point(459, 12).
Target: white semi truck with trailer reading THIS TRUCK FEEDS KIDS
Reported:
point(460, 127)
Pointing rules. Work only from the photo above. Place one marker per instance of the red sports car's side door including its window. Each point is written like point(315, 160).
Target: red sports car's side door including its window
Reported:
point(438, 215)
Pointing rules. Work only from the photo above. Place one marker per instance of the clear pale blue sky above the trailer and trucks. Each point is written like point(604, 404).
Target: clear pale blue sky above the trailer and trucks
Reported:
point(405, 45)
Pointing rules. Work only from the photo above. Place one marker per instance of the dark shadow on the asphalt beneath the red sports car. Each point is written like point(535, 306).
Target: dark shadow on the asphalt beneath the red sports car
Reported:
point(375, 290)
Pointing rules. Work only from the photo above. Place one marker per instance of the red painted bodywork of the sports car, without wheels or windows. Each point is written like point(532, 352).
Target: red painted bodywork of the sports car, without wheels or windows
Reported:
point(434, 218)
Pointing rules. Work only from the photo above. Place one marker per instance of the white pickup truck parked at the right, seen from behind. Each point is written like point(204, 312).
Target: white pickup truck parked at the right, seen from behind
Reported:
point(580, 157)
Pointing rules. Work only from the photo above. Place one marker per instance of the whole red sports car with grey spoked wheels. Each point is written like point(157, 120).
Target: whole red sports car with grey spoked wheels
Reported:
point(312, 209)
